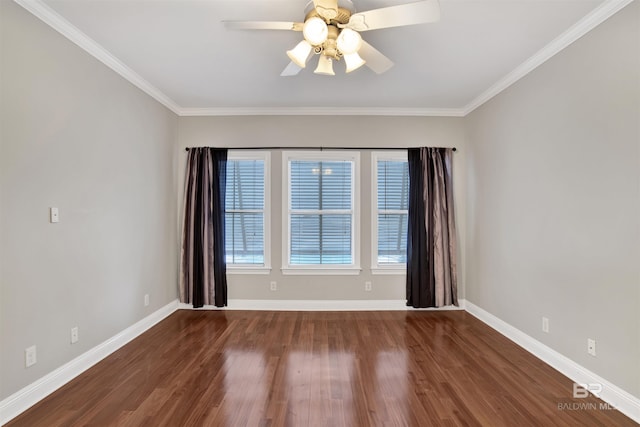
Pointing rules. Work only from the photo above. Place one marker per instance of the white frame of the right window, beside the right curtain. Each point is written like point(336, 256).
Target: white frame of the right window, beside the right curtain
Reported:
point(376, 268)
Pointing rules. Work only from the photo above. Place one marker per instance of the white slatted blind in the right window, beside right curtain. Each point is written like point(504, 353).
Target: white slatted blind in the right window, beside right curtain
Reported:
point(392, 181)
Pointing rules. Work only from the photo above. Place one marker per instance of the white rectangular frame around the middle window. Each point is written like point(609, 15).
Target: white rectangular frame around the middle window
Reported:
point(321, 269)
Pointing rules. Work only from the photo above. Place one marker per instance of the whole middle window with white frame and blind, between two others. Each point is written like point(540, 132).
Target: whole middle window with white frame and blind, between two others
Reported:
point(321, 221)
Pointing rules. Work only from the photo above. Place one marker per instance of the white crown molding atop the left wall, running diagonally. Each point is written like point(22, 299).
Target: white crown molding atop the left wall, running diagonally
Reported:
point(64, 27)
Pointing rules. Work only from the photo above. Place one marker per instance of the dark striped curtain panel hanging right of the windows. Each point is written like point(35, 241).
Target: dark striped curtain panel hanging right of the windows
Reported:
point(431, 239)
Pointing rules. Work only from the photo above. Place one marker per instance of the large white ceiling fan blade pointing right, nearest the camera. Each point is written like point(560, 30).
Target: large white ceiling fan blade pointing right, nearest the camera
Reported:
point(420, 12)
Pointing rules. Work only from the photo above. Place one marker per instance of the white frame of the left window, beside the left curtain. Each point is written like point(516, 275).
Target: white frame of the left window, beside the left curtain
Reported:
point(265, 156)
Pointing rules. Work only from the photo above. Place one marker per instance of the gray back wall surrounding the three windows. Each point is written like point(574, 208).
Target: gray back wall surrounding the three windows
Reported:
point(313, 131)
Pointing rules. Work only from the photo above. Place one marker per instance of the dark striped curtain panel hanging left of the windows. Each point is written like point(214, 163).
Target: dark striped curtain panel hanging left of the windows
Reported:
point(203, 275)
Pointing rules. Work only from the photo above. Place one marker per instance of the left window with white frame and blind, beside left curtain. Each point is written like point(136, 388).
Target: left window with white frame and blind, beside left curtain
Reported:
point(246, 212)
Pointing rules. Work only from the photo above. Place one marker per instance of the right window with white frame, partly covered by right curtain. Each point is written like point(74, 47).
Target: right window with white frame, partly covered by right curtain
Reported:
point(390, 212)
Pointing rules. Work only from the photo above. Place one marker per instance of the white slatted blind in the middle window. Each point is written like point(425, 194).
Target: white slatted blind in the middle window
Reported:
point(321, 212)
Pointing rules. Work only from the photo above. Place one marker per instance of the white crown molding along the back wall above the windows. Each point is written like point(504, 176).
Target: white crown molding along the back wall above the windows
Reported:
point(321, 111)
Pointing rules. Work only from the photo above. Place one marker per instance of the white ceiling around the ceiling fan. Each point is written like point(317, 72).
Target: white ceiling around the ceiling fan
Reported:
point(180, 52)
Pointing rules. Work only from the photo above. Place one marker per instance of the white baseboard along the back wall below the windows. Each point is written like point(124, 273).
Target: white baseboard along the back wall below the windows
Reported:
point(319, 305)
